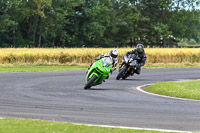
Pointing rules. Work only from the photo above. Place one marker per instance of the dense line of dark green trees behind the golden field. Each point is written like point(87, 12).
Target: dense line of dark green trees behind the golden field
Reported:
point(98, 23)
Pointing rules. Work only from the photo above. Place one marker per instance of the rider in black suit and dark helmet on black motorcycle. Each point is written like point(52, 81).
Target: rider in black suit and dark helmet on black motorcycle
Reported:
point(140, 55)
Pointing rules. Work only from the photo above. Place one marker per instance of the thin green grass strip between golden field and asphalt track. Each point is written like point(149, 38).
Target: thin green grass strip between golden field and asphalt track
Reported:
point(30, 68)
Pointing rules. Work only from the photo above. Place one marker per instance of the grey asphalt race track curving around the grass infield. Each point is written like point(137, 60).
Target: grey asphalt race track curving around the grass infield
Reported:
point(60, 96)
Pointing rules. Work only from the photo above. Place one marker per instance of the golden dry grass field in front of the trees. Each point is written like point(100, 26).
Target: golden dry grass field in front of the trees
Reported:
point(63, 56)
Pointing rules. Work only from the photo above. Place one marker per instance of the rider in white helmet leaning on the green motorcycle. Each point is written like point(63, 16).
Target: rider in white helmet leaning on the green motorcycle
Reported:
point(113, 54)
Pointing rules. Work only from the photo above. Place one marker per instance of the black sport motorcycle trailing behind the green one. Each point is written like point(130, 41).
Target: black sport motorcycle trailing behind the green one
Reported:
point(128, 67)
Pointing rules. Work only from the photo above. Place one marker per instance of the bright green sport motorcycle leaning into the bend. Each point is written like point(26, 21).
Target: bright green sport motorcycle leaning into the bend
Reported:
point(98, 72)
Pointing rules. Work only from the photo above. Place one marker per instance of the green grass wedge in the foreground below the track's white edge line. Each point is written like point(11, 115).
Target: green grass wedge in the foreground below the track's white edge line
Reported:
point(11, 125)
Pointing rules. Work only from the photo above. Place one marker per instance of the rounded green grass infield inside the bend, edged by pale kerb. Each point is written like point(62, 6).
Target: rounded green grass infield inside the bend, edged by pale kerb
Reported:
point(185, 89)
